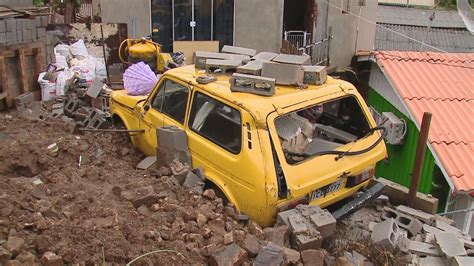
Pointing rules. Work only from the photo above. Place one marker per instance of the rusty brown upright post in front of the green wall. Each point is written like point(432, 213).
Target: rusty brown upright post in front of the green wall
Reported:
point(419, 157)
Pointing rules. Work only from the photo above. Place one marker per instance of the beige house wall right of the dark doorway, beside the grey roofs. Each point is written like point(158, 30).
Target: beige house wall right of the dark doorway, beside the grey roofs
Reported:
point(349, 33)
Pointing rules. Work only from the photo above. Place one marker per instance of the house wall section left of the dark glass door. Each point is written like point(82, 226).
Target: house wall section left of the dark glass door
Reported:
point(120, 11)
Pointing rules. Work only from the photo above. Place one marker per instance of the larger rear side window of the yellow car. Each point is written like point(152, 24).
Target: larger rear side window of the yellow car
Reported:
point(216, 122)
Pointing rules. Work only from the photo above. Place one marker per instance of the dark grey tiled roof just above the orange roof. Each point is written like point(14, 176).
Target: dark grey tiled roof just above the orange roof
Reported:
point(446, 39)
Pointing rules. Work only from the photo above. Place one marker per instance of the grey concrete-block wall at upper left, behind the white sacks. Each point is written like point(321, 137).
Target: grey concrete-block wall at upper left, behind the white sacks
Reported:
point(22, 30)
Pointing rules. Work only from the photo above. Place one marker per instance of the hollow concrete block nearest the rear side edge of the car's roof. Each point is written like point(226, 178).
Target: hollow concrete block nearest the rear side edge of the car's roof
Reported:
point(252, 84)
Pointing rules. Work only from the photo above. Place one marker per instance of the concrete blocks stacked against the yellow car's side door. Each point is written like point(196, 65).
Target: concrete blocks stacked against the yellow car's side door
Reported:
point(172, 145)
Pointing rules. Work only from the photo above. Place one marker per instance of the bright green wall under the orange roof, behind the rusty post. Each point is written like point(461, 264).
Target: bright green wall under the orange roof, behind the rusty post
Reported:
point(399, 165)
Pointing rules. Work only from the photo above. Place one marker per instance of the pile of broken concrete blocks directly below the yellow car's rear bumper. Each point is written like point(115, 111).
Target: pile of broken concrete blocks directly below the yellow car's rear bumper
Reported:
point(309, 226)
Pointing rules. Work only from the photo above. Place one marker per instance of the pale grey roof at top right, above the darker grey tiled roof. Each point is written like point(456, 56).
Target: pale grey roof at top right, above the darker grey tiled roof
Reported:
point(419, 17)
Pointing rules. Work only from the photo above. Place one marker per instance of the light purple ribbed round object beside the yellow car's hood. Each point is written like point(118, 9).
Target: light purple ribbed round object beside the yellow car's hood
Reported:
point(139, 79)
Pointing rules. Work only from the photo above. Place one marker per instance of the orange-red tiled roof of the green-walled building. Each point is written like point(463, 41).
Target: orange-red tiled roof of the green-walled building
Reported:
point(443, 84)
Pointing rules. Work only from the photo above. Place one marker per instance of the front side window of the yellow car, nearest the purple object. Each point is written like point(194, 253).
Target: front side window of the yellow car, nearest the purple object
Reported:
point(172, 99)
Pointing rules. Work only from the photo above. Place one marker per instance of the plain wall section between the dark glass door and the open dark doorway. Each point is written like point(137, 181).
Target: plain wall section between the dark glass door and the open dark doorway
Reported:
point(259, 24)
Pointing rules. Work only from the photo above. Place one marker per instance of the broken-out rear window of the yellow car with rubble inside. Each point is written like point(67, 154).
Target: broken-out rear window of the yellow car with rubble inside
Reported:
point(320, 128)
